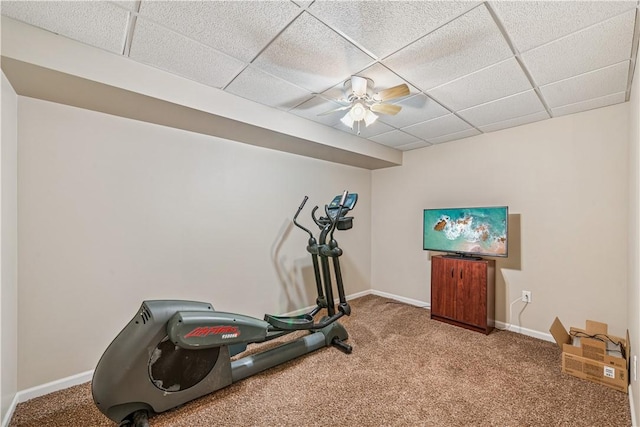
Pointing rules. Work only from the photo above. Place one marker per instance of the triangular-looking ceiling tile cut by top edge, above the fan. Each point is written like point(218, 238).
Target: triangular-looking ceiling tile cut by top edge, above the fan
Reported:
point(384, 27)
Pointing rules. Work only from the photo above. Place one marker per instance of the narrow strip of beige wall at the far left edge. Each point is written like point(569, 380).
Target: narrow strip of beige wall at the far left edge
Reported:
point(8, 249)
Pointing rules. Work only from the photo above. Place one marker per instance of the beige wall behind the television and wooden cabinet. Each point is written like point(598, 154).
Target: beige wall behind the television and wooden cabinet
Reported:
point(566, 183)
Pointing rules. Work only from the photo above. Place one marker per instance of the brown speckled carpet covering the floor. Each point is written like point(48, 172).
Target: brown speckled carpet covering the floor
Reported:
point(405, 370)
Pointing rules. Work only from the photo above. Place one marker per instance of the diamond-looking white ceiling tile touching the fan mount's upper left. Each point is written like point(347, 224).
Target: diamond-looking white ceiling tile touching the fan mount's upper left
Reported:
point(311, 56)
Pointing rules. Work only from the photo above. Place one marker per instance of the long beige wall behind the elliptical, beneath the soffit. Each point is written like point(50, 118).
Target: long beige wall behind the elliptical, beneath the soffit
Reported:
point(114, 211)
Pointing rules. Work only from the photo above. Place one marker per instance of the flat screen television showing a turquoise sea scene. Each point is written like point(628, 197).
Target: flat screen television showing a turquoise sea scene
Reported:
point(467, 232)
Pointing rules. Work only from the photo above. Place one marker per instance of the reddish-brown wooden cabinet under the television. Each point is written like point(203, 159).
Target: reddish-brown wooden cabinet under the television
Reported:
point(463, 292)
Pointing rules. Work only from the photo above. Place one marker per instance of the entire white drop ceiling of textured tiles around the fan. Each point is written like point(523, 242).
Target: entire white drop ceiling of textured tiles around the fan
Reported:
point(472, 67)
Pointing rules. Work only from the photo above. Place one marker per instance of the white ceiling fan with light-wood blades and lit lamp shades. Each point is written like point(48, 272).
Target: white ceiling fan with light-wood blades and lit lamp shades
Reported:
point(363, 103)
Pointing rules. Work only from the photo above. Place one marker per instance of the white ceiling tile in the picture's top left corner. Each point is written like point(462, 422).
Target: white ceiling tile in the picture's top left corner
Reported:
point(98, 24)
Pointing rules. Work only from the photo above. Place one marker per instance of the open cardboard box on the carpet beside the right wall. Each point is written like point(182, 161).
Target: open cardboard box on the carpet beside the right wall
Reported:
point(592, 354)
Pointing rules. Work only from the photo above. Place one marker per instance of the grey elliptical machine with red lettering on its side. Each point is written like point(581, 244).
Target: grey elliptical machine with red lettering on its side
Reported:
point(174, 351)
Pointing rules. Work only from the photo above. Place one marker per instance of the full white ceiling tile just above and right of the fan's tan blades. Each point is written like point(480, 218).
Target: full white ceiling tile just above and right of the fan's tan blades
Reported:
point(467, 44)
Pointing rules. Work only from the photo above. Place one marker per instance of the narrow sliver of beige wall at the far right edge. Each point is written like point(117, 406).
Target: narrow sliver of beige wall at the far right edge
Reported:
point(633, 292)
